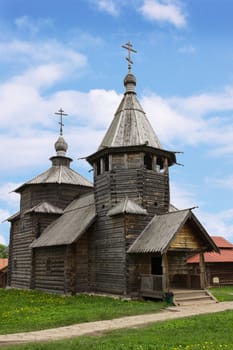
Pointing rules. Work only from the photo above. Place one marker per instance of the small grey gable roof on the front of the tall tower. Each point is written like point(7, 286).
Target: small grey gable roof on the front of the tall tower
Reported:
point(127, 206)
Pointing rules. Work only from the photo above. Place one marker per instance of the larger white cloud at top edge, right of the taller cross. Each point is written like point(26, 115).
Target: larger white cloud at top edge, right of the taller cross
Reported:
point(164, 11)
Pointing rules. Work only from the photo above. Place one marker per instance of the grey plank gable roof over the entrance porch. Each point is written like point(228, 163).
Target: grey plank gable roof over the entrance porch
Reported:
point(162, 229)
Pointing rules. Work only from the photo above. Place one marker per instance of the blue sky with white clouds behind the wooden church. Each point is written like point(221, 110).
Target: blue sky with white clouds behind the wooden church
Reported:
point(68, 54)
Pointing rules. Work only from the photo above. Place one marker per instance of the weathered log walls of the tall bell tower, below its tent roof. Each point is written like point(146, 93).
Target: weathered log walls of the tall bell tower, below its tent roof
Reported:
point(112, 270)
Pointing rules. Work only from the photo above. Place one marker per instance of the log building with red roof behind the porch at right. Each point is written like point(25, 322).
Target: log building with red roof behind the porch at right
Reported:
point(219, 266)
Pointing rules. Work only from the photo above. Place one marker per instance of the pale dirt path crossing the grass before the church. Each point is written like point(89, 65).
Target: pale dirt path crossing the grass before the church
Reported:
point(92, 328)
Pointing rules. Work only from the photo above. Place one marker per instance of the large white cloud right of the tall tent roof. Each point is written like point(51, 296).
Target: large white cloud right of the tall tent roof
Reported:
point(199, 119)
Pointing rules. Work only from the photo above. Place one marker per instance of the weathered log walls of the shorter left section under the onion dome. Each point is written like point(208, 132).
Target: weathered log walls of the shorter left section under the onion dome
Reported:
point(30, 226)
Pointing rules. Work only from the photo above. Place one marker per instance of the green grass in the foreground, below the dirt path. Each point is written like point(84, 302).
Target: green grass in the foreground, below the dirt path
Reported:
point(205, 332)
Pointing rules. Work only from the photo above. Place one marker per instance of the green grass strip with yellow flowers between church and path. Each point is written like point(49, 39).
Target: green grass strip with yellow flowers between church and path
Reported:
point(23, 310)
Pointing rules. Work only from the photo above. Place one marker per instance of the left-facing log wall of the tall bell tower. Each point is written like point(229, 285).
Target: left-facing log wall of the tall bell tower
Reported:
point(107, 247)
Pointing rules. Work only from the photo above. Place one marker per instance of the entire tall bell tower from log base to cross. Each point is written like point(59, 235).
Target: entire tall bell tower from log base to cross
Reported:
point(131, 185)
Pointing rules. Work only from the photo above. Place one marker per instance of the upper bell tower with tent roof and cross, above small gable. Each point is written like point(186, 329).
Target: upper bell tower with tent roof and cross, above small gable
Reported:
point(130, 161)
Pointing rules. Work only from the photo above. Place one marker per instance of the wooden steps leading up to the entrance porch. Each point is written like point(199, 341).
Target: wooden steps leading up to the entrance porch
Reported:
point(192, 297)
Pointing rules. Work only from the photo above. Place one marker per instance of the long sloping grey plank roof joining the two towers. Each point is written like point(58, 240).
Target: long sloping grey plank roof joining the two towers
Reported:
point(77, 218)
